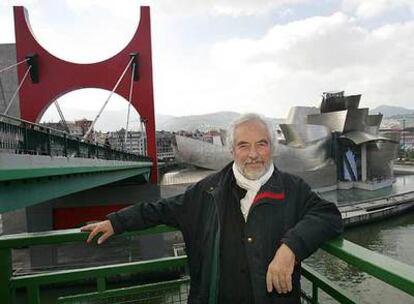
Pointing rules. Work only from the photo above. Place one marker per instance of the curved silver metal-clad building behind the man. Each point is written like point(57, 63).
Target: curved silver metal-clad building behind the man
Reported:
point(338, 142)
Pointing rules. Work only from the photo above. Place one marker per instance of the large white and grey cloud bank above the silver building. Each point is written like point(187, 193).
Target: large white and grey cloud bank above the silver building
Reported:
point(293, 64)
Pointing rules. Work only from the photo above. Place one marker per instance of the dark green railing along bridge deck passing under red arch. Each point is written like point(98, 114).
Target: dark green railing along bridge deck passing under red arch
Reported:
point(24, 137)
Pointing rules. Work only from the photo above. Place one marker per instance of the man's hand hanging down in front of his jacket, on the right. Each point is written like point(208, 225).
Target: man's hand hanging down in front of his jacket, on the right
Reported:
point(279, 272)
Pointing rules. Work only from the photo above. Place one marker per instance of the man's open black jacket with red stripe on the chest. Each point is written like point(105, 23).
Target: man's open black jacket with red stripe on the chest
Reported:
point(285, 211)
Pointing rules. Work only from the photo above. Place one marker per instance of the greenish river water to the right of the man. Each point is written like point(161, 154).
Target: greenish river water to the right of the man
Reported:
point(393, 237)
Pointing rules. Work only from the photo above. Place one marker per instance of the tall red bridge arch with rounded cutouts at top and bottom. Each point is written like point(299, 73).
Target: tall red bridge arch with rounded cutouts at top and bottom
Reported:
point(57, 76)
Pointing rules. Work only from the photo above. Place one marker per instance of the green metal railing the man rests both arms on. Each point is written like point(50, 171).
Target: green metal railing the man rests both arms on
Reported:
point(392, 272)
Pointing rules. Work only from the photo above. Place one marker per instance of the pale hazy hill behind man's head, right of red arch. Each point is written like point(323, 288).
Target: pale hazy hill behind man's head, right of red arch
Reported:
point(218, 120)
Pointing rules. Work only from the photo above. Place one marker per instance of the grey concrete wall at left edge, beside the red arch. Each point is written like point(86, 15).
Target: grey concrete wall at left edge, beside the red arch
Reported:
point(8, 79)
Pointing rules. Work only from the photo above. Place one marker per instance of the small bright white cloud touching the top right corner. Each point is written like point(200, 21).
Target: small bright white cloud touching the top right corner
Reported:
point(375, 8)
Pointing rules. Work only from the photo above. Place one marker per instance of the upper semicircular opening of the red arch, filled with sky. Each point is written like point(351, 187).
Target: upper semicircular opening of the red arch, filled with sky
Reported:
point(84, 31)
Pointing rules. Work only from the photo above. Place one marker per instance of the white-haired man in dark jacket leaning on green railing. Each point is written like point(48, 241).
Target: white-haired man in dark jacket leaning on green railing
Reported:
point(246, 228)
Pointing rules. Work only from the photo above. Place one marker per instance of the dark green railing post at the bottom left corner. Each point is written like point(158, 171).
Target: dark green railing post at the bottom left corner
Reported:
point(6, 294)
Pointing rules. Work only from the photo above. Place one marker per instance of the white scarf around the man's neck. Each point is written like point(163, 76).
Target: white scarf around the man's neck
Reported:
point(252, 187)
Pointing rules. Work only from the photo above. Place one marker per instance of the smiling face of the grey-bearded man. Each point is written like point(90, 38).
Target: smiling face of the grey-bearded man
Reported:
point(252, 149)
